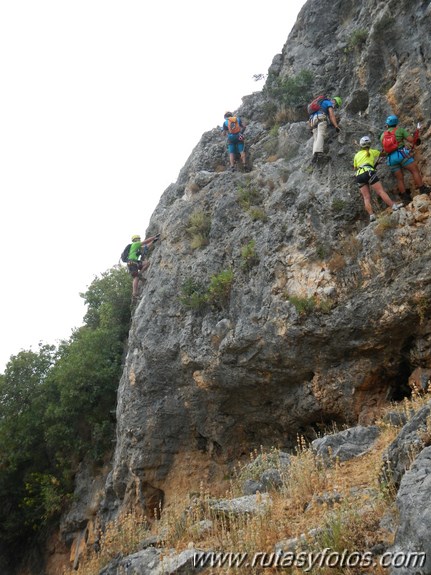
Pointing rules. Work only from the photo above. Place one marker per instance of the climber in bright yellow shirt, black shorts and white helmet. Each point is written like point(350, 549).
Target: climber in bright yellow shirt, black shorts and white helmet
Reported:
point(364, 164)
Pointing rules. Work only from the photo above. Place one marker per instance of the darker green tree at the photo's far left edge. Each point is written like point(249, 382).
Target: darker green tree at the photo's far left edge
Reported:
point(22, 448)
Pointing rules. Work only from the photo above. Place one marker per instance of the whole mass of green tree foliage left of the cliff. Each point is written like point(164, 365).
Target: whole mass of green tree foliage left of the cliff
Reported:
point(56, 408)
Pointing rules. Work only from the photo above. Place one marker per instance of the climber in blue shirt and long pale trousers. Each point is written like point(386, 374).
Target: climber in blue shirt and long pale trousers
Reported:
point(321, 114)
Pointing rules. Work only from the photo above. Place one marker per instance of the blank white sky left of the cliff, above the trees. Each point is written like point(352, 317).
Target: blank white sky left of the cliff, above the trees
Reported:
point(101, 103)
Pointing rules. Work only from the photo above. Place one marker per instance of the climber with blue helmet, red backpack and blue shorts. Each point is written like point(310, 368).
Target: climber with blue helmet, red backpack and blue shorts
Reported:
point(399, 156)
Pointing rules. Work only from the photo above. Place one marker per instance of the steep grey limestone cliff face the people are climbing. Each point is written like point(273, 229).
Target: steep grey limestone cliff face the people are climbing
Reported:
point(327, 317)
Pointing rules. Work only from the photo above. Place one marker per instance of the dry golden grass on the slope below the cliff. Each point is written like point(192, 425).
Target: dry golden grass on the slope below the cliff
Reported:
point(345, 503)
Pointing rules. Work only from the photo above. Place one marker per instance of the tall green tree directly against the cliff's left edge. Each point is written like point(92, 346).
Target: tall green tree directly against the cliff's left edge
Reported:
point(84, 380)
